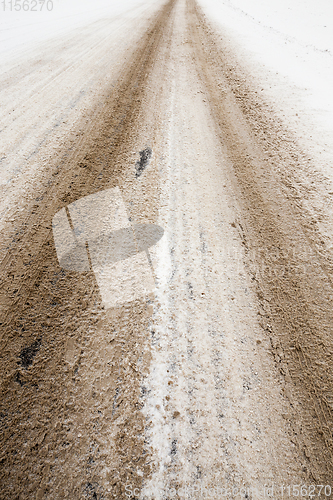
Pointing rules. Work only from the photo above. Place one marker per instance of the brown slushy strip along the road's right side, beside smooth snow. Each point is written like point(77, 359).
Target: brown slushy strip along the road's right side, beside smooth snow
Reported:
point(291, 271)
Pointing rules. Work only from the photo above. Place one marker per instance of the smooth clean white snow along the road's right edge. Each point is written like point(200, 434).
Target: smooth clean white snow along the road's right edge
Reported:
point(288, 46)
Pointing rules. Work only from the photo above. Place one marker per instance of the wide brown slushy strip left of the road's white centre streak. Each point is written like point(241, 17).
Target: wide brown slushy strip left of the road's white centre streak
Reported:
point(70, 372)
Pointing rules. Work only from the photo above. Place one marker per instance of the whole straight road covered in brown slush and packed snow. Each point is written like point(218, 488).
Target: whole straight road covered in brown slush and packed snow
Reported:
point(223, 376)
